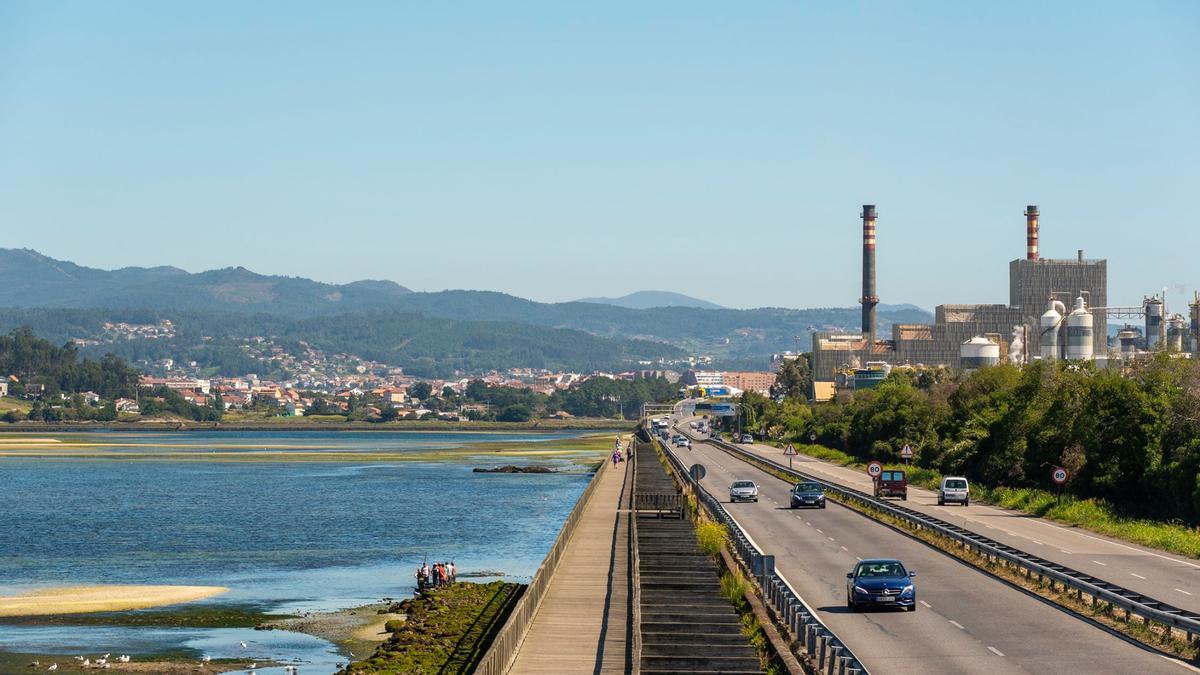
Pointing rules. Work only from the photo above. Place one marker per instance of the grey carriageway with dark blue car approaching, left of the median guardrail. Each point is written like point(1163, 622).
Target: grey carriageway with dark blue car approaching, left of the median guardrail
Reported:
point(967, 622)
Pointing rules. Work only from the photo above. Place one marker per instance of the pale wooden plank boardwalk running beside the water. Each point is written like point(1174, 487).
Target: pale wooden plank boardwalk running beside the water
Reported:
point(584, 624)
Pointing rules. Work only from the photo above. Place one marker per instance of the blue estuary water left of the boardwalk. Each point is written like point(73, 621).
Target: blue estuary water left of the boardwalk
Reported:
point(283, 534)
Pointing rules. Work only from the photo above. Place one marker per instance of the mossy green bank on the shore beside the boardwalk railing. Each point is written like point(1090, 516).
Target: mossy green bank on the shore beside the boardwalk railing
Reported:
point(447, 632)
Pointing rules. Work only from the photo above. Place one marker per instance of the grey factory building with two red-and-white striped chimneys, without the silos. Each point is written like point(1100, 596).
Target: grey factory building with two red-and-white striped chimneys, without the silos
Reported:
point(1034, 283)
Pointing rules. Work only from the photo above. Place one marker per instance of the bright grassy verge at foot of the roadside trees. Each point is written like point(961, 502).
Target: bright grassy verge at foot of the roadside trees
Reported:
point(1097, 516)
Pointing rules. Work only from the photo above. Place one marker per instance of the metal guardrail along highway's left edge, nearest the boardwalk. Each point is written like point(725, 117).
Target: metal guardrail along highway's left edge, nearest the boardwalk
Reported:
point(831, 655)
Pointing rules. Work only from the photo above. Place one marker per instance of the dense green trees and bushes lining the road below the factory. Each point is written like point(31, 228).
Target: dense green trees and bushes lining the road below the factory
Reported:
point(1131, 443)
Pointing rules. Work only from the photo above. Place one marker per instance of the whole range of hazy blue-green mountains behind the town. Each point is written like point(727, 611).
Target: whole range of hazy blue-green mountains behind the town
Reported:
point(40, 291)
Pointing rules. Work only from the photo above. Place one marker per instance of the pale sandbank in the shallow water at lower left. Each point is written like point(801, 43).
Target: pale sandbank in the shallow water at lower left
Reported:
point(82, 600)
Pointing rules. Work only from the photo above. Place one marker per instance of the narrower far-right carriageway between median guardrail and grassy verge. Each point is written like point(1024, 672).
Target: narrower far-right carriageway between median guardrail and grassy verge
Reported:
point(1163, 577)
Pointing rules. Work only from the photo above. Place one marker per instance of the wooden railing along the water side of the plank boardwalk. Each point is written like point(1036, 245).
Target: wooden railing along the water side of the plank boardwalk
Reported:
point(505, 648)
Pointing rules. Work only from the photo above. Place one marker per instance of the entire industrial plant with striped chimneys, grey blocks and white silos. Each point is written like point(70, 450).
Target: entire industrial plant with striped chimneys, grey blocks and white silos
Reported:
point(1058, 309)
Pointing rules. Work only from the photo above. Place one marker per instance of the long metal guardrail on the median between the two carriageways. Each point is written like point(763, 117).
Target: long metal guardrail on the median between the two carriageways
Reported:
point(1132, 604)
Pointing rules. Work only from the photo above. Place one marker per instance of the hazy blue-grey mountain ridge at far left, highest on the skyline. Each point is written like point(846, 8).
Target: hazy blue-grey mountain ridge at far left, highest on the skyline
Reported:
point(29, 279)
